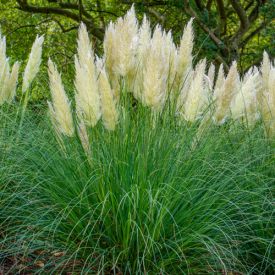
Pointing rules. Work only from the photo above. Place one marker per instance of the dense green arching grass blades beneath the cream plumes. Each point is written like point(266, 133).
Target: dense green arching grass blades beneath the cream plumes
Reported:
point(149, 197)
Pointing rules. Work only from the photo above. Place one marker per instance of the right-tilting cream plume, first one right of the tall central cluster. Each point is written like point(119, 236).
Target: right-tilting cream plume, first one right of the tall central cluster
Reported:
point(197, 97)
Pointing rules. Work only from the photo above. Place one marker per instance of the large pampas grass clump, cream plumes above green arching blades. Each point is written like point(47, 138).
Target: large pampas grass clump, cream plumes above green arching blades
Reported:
point(156, 168)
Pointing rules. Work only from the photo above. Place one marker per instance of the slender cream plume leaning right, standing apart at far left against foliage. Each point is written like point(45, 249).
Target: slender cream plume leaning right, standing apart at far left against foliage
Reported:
point(33, 64)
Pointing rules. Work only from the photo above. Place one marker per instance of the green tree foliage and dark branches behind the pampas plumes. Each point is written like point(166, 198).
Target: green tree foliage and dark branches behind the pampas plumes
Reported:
point(226, 30)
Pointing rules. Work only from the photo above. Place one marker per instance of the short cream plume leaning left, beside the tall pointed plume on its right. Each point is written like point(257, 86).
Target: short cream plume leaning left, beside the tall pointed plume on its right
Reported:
point(60, 109)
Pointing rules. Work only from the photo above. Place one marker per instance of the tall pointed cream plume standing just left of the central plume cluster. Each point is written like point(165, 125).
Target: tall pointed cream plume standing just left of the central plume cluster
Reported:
point(87, 96)
